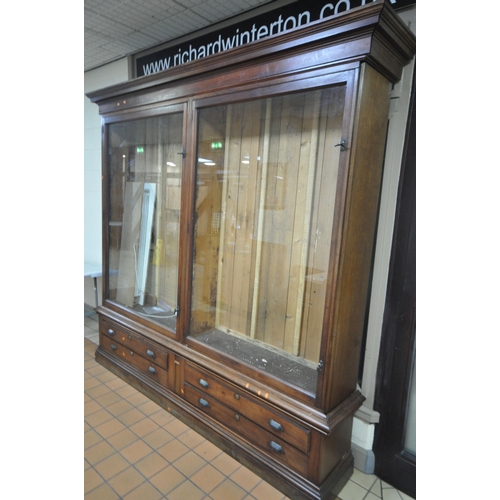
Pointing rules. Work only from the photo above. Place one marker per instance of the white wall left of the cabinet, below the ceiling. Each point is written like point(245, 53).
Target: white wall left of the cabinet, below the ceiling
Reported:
point(104, 76)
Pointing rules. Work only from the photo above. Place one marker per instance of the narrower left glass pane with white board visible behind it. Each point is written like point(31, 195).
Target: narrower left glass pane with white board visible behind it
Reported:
point(145, 194)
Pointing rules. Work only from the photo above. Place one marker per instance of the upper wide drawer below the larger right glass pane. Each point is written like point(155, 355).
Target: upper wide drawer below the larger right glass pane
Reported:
point(269, 420)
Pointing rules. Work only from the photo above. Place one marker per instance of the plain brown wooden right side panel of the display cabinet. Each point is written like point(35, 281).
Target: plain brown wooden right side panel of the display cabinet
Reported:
point(365, 175)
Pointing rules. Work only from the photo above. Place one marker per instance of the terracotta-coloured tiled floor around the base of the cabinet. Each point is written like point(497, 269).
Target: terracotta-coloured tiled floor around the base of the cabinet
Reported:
point(136, 450)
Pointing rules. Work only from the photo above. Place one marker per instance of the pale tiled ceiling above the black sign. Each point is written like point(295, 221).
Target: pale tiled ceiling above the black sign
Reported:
point(117, 28)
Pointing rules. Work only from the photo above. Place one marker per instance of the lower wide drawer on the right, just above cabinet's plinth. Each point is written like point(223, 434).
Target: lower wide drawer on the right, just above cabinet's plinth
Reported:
point(259, 437)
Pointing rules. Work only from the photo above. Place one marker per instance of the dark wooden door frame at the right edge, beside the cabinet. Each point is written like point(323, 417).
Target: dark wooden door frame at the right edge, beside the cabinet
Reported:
point(392, 463)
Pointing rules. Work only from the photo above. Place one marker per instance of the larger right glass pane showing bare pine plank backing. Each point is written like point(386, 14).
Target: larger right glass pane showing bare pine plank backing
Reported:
point(266, 179)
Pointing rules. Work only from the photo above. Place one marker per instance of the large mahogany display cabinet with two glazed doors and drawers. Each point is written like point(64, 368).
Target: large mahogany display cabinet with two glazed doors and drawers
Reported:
point(240, 199)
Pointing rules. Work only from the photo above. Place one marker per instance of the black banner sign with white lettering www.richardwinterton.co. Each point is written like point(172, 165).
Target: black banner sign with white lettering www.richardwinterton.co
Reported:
point(274, 22)
